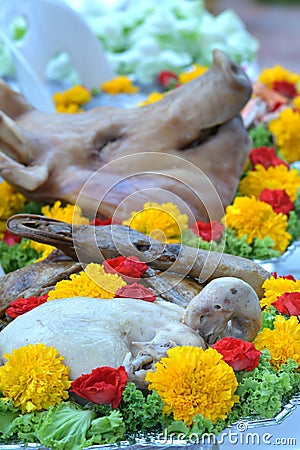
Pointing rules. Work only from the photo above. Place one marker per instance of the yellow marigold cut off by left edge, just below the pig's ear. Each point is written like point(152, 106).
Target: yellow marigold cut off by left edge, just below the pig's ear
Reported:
point(11, 200)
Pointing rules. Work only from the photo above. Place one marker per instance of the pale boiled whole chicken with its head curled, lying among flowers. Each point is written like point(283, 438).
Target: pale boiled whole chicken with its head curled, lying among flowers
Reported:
point(92, 332)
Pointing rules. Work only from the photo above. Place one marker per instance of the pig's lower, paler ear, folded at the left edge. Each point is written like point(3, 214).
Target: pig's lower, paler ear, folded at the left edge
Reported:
point(15, 150)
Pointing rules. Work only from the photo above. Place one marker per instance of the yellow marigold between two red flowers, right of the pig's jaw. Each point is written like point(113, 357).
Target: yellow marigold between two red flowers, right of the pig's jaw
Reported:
point(279, 177)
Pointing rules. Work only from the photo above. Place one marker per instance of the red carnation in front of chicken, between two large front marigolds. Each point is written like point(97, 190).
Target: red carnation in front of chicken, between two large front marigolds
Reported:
point(104, 385)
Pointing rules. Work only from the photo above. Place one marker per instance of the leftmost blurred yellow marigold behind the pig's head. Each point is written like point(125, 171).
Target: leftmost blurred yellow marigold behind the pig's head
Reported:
point(69, 100)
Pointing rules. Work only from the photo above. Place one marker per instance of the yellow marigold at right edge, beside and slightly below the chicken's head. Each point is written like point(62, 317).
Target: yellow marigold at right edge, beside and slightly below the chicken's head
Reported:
point(283, 342)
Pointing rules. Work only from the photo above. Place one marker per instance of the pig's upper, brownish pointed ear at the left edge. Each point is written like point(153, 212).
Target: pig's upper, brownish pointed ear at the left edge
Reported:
point(12, 103)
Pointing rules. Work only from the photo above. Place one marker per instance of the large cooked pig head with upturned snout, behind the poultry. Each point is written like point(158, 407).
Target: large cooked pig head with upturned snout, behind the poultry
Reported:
point(190, 146)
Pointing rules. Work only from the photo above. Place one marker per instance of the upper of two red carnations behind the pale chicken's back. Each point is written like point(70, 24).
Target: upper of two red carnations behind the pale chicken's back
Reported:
point(130, 269)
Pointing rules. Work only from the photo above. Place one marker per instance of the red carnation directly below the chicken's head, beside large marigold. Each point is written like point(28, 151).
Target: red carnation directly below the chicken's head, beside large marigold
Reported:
point(239, 354)
